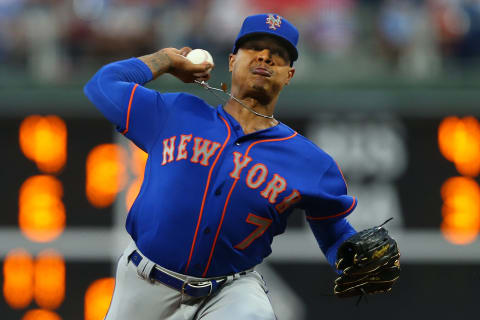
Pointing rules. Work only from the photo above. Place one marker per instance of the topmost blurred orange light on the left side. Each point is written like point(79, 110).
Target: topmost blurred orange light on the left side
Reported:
point(44, 141)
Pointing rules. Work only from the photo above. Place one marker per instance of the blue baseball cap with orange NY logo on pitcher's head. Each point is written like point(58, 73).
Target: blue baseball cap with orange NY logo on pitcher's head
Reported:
point(269, 24)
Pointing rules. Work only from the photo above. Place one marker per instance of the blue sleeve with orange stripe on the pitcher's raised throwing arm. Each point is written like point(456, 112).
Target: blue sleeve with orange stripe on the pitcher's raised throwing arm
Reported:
point(137, 112)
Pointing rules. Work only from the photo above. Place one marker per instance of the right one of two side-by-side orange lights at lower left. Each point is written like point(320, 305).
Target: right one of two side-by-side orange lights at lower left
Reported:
point(49, 289)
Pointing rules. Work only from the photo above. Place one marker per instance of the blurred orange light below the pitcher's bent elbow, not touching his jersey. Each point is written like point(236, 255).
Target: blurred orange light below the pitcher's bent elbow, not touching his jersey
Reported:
point(106, 174)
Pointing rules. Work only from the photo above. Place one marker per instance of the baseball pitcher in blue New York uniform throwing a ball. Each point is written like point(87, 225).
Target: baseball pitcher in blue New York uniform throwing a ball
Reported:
point(221, 181)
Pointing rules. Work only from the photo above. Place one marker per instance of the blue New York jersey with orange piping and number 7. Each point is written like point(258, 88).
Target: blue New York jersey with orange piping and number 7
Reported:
point(213, 197)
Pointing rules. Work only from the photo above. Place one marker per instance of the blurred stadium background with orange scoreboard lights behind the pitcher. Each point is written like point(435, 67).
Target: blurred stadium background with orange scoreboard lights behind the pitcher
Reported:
point(388, 87)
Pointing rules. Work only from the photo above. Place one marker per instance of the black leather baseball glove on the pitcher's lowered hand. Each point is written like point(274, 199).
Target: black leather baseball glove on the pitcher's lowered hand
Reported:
point(369, 261)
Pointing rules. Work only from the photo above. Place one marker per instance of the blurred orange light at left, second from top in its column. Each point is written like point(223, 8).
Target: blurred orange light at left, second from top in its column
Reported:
point(41, 215)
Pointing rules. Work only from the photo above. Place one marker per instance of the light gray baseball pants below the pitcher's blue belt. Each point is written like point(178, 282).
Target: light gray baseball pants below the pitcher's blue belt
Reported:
point(241, 297)
